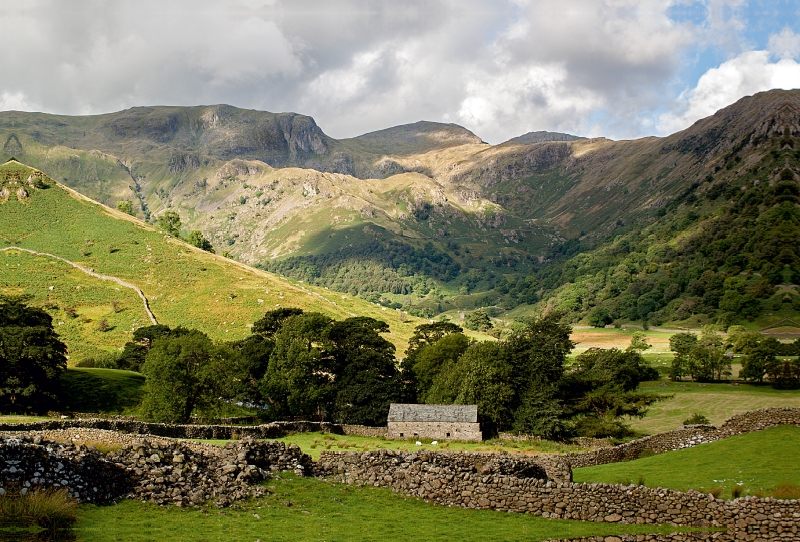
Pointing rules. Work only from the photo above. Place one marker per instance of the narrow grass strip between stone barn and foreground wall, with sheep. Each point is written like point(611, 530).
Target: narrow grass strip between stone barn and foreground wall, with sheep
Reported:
point(314, 443)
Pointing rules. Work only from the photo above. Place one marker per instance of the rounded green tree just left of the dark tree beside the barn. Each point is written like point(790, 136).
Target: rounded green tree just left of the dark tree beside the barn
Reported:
point(299, 379)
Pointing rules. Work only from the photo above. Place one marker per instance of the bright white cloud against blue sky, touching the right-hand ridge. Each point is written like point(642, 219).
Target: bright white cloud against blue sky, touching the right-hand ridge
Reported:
point(743, 75)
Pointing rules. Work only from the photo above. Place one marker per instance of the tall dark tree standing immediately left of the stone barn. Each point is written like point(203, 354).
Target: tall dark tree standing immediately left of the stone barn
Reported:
point(367, 379)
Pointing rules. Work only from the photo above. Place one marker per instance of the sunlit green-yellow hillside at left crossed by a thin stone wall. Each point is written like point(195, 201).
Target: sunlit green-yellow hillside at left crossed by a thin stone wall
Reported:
point(99, 271)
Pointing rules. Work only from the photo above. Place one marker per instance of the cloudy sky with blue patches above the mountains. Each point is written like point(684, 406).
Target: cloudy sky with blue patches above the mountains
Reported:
point(615, 68)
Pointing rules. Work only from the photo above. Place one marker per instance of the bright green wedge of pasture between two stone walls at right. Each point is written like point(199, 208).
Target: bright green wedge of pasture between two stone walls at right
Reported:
point(758, 463)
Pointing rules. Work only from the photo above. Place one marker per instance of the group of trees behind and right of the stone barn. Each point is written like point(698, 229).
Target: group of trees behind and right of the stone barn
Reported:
point(524, 384)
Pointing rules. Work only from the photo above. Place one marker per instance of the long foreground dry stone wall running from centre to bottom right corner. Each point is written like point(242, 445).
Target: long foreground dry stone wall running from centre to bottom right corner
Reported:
point(500, 484)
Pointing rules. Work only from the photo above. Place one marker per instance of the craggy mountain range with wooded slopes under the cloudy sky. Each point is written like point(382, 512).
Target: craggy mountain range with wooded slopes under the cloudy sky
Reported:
point(694, 228)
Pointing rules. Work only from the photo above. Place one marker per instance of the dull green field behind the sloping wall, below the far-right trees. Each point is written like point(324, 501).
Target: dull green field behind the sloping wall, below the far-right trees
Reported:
point(717, 402)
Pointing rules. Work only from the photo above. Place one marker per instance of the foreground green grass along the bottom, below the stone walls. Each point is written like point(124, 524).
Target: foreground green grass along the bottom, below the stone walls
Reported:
point(311, 509)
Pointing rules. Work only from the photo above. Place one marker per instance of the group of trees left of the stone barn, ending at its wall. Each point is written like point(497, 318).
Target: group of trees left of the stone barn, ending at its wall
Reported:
point(293, 365)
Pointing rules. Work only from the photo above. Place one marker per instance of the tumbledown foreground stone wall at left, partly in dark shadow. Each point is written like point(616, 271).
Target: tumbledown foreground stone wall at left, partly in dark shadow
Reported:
point(157, 470)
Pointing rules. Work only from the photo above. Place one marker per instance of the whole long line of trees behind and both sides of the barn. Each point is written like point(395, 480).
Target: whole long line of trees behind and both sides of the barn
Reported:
point(305, 365)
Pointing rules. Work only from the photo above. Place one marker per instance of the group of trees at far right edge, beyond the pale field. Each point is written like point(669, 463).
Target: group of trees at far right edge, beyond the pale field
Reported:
point(707, 357)
